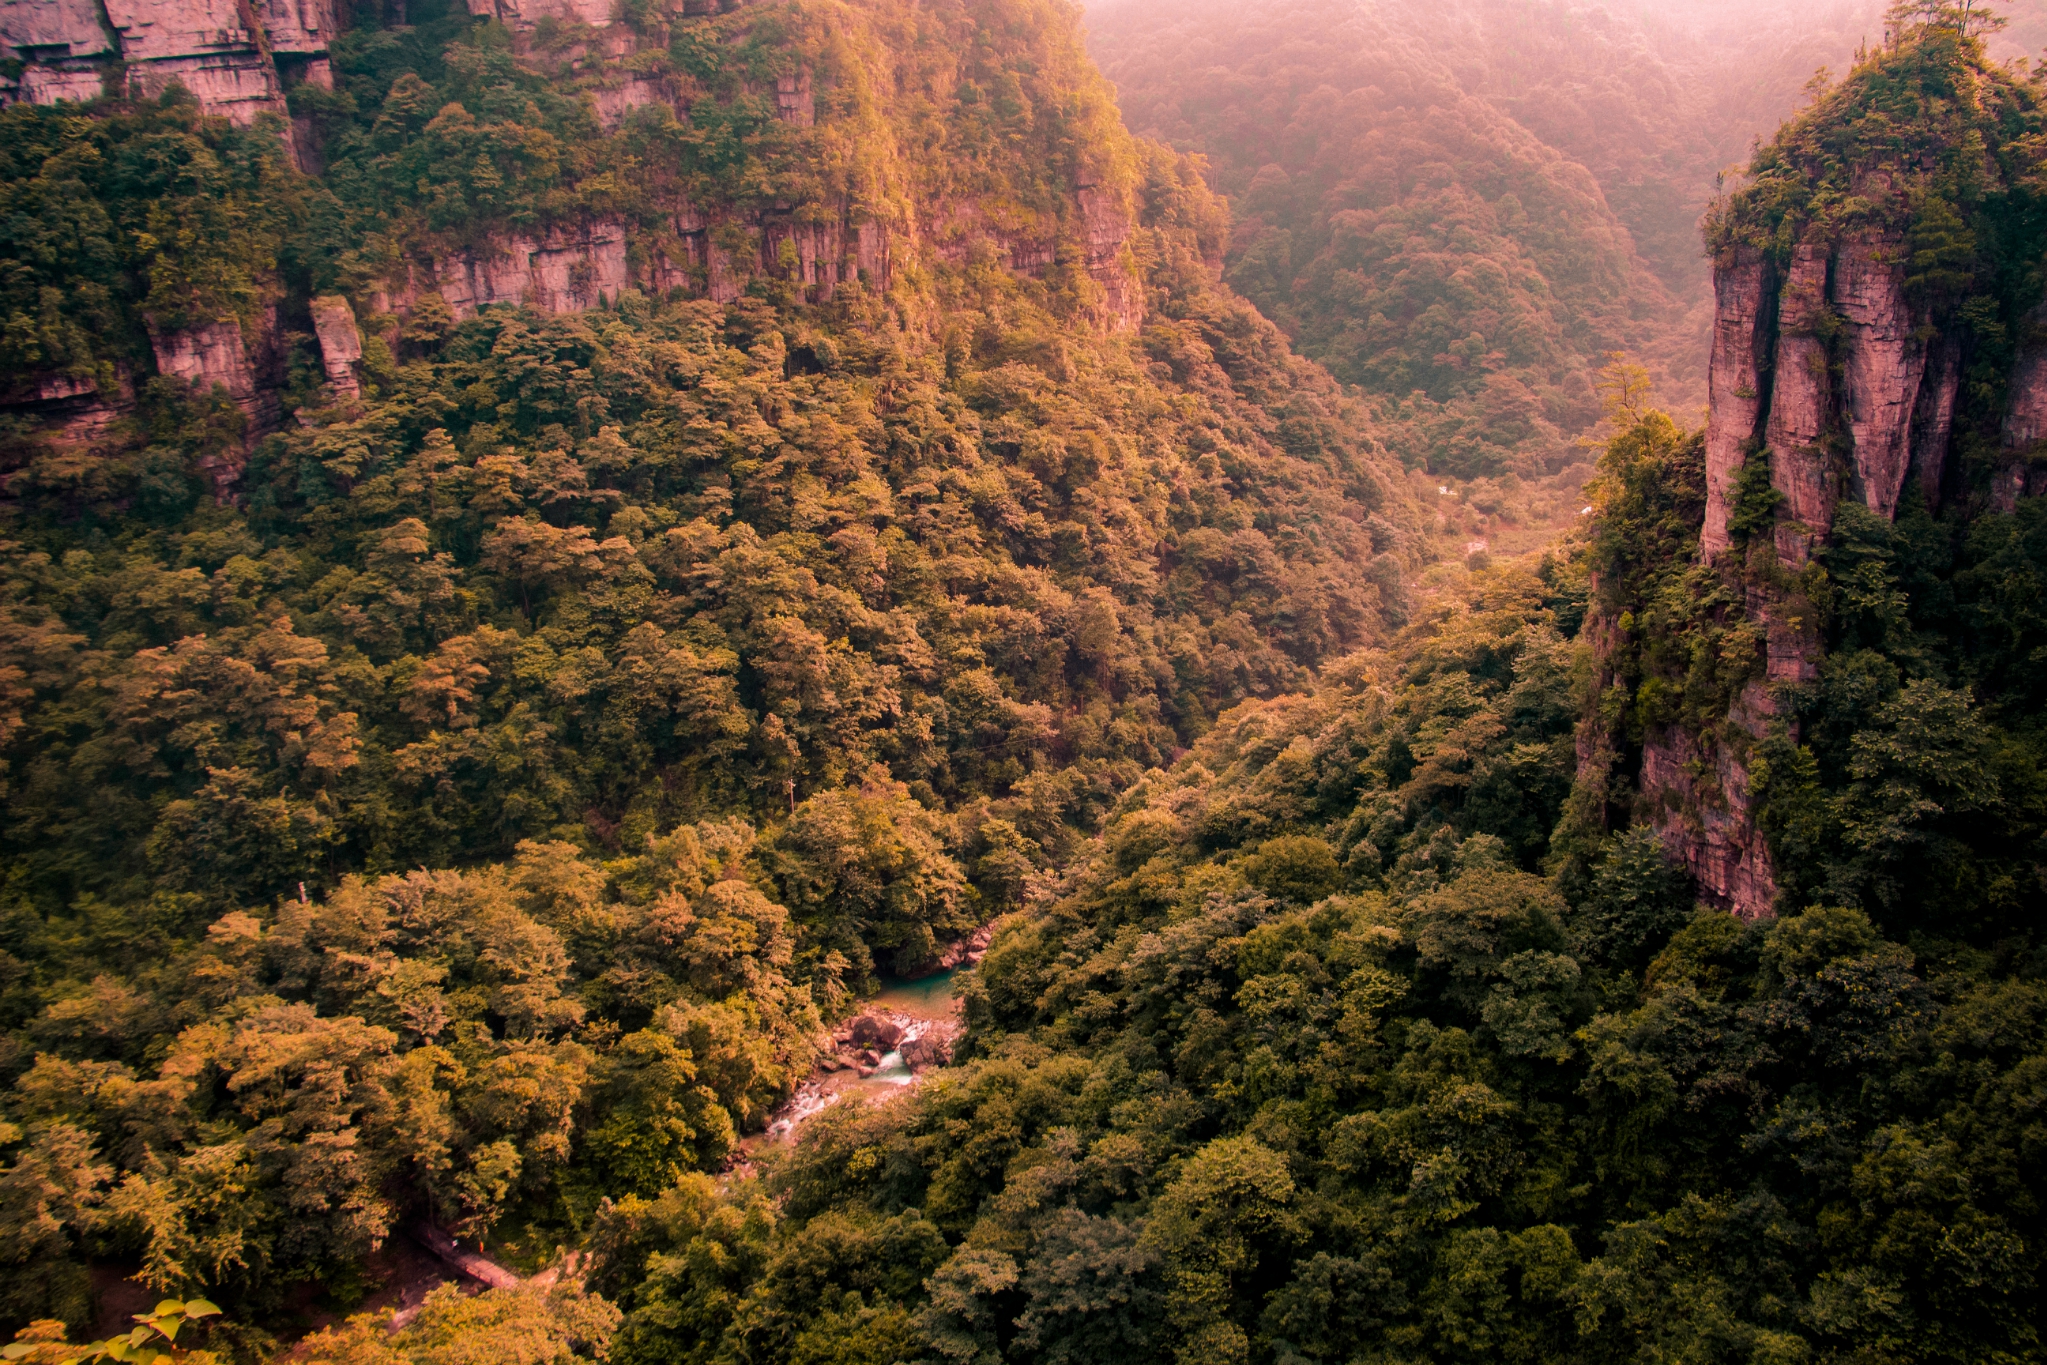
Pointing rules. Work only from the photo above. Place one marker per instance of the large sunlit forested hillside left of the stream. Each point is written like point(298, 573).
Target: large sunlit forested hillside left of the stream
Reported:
point(455, 766)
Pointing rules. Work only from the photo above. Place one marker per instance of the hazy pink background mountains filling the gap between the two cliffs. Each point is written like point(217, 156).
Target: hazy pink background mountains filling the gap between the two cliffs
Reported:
point(1467, 212)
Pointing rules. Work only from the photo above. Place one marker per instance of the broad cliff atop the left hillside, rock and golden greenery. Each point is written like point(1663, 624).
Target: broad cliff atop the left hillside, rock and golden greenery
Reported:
point(851, 193)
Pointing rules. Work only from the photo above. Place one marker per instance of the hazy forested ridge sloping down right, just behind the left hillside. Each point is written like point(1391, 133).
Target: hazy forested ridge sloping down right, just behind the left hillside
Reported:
point(1405, 230)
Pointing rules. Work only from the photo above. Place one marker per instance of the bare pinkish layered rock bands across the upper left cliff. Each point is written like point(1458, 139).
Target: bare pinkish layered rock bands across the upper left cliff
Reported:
point(241, 56)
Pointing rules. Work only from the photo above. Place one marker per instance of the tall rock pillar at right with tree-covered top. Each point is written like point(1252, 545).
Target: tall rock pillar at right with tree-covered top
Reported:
point(1854, 298)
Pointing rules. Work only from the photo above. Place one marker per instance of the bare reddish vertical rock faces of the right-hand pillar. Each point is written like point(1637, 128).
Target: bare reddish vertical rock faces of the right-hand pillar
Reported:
point(1829, 369)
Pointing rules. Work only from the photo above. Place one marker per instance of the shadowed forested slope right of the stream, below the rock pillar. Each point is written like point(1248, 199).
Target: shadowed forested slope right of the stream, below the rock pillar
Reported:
point(1364, 1034)
